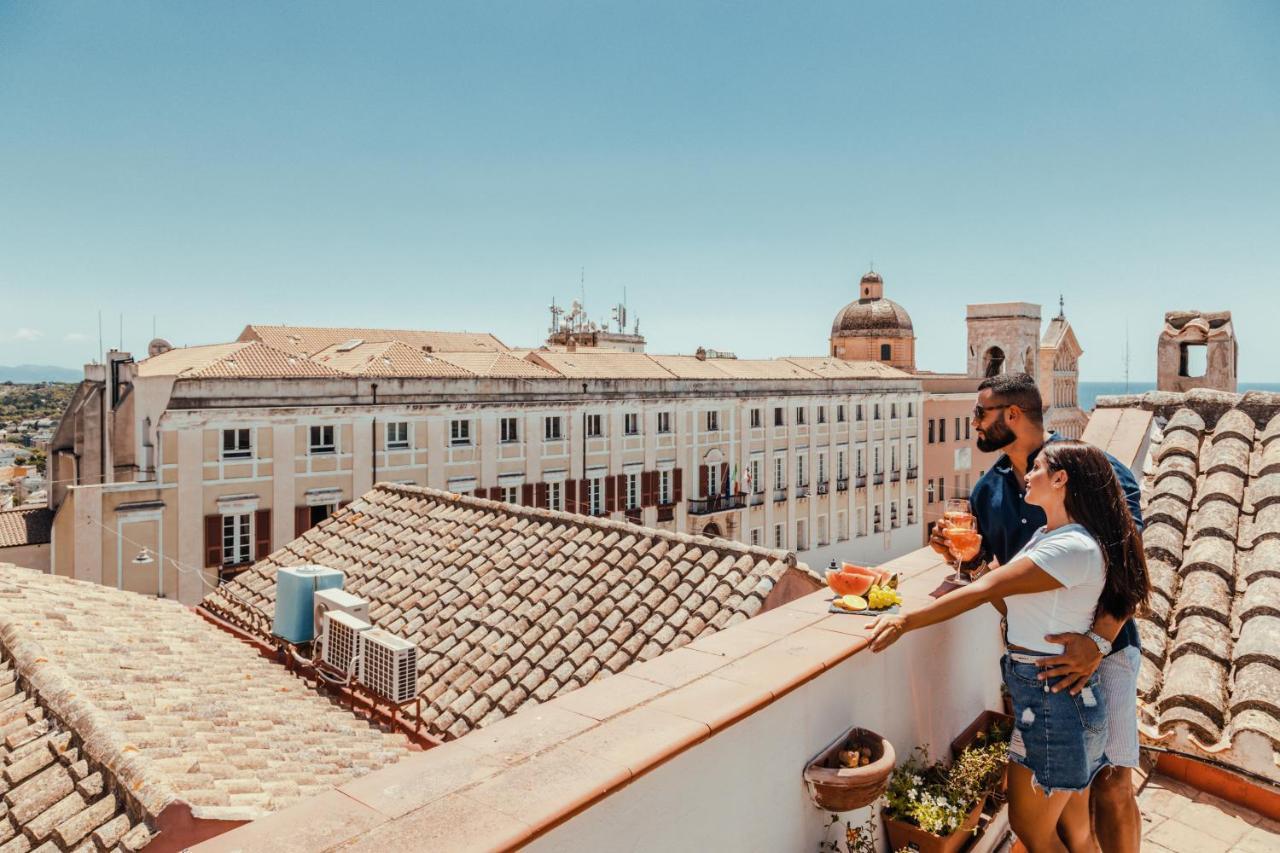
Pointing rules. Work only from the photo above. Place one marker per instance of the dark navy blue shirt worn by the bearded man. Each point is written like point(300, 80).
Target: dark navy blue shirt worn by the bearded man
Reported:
point(1008, 522)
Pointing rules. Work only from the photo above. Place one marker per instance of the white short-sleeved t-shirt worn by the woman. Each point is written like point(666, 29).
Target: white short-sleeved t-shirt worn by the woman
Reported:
point(1073, 558)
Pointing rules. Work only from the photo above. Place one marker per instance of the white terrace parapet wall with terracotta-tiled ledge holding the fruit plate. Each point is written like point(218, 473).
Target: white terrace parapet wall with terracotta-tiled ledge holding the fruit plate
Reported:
point(729, 719)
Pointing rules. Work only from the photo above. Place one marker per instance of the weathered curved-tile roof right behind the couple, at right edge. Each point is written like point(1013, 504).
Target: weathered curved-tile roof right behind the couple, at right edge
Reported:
point(1210, 682)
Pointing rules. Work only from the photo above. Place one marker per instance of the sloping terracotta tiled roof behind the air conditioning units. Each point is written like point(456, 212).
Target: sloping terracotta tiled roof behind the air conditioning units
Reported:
point(511, 605)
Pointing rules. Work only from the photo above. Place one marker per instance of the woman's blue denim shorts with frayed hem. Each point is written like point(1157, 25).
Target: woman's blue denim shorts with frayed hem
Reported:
point(1059, 737)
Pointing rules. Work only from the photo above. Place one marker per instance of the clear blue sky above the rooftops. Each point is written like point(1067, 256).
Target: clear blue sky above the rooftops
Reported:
point(734, 167)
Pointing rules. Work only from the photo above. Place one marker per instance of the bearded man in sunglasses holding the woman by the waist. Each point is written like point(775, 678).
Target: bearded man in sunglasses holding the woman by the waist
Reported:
point(1009, 417)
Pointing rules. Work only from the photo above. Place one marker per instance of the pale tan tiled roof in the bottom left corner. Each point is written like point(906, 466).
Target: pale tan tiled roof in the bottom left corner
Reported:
point(173, 710)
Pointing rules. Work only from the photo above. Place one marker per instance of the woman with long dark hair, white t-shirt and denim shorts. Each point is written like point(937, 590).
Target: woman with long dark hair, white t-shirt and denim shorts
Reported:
point(1087, 556)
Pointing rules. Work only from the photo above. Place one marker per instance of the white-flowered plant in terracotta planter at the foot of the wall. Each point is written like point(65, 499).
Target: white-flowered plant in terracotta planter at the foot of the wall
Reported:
point(927, 811)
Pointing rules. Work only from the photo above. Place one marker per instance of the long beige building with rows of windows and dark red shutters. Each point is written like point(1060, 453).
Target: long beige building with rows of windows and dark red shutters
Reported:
point(180, 469)
